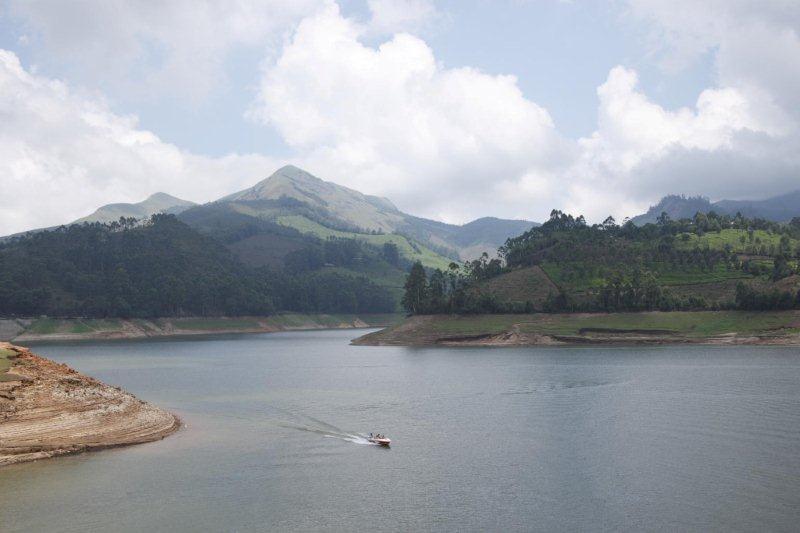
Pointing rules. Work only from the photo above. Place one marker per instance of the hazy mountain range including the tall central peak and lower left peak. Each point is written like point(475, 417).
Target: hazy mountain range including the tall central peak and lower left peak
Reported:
point(264, 222)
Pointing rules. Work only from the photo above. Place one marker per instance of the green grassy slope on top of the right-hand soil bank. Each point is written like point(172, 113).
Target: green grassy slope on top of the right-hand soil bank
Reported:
point(688, 324)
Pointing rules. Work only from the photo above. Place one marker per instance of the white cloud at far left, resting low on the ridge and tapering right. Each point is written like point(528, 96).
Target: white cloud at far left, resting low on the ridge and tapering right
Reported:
point(62, 155)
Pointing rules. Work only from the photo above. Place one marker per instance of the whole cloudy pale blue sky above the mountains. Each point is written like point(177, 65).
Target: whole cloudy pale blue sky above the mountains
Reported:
point(453, 109)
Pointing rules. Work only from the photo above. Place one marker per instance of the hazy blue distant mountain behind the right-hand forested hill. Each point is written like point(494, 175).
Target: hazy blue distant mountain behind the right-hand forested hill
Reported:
point(781, 208)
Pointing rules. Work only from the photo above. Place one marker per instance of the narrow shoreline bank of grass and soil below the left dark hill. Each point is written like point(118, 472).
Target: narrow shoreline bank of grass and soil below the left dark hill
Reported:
point(49, 329)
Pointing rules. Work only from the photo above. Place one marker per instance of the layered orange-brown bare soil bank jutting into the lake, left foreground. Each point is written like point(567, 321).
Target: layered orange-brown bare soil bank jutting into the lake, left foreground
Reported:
point(48, 409)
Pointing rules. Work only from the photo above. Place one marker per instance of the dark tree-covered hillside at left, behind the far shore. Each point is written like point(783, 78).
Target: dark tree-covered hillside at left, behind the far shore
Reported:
point(166, 268)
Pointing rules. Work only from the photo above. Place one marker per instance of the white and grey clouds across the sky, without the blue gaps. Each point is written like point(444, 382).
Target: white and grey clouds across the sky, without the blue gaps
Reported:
point(391, 119)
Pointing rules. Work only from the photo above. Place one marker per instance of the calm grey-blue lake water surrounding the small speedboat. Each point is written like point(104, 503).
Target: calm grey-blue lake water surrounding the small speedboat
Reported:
point(543, 439)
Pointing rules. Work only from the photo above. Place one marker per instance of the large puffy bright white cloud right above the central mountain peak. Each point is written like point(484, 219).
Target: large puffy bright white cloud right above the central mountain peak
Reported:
point(391, 120)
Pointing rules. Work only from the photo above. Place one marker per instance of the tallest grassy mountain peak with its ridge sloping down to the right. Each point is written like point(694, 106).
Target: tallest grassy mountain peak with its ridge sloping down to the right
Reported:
point(295, 198)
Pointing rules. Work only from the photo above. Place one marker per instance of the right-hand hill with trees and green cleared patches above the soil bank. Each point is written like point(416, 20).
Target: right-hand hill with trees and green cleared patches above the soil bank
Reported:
point(705, 262)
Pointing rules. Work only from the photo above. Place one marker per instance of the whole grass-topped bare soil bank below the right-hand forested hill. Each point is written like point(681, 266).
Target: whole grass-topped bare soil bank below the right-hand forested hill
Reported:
point(707, 327)
